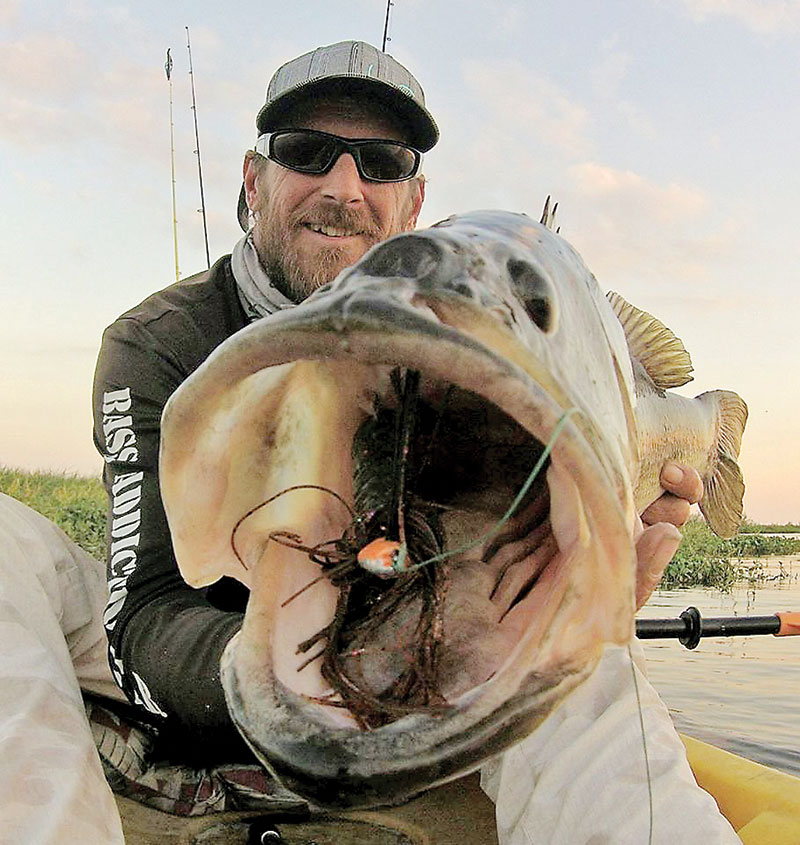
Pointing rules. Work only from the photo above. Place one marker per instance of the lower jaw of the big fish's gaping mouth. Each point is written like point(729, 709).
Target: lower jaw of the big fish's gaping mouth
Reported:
point(501, 671)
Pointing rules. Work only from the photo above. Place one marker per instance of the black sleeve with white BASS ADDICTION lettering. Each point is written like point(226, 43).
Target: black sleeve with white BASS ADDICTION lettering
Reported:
point(165, 638)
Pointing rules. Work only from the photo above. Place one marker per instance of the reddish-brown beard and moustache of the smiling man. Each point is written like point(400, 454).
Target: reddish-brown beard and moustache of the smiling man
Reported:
point(297, 272)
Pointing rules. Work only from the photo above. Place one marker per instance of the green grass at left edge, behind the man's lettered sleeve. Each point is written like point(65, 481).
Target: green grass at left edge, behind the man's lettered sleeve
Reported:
point(75, 503)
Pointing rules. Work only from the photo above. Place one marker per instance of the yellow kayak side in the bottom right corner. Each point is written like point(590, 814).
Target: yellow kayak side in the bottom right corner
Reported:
point(762, 804)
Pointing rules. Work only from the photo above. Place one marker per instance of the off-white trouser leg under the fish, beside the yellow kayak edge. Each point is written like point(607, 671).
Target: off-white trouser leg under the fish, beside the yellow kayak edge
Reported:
point(607, 766)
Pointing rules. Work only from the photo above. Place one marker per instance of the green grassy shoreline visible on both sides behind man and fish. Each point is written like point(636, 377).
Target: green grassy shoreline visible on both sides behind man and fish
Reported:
point(78, 505)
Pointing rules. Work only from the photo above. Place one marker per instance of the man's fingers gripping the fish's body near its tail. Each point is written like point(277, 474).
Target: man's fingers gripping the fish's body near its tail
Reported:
point(660, 538)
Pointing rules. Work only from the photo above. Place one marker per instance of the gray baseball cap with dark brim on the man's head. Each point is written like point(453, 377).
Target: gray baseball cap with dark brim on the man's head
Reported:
point(349, 67)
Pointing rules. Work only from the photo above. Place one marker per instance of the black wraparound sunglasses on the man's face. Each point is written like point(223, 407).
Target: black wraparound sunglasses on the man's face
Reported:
point(309, 151)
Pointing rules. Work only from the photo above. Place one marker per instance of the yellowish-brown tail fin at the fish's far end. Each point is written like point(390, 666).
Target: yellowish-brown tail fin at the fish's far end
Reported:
point(723, 491)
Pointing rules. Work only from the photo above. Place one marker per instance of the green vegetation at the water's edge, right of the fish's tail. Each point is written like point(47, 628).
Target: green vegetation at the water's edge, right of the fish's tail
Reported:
point(705, 560)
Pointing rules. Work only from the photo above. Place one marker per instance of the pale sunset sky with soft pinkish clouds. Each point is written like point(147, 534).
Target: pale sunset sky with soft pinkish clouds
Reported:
point(668, 131)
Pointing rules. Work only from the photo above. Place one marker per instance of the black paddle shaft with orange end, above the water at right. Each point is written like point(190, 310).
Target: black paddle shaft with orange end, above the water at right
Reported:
point(690, 626)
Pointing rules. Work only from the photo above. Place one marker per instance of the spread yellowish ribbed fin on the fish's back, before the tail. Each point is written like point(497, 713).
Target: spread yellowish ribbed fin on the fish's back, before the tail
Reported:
point(656, 347)
